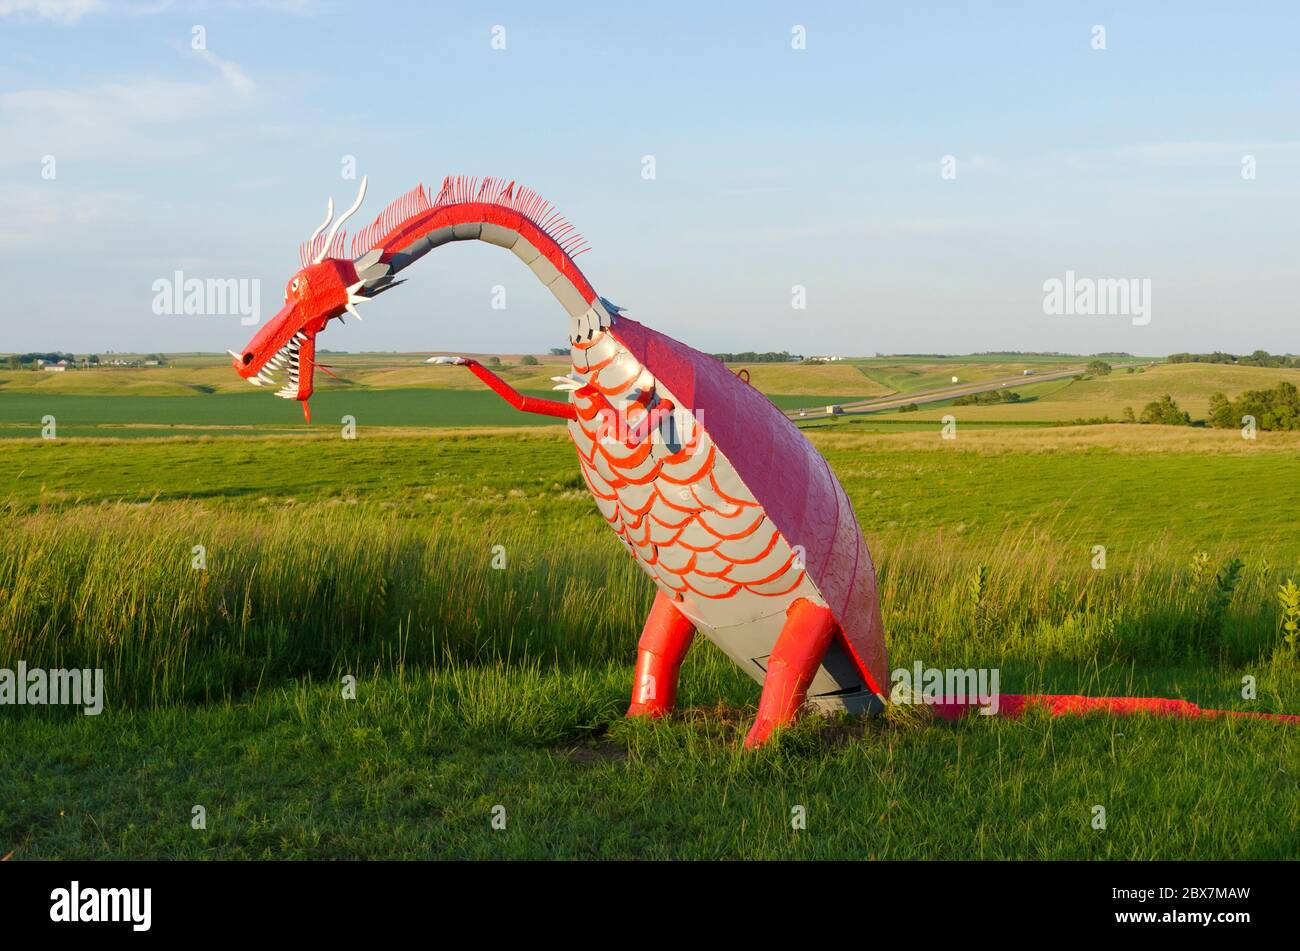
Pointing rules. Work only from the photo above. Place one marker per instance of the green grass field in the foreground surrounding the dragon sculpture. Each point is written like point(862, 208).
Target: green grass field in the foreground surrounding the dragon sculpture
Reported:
point(480, 688)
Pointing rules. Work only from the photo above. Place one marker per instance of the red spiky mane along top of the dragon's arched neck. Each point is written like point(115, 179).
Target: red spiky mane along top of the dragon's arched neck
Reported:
point(456, 190)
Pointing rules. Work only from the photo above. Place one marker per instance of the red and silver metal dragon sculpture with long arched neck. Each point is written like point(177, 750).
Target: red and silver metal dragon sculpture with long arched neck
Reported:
point(723, 502)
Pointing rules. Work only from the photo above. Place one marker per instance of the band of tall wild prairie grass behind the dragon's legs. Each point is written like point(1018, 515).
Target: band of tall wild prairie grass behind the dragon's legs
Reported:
point(326, 588)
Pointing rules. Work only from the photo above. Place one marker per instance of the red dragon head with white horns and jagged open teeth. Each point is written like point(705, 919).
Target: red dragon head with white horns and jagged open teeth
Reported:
point(328, 286)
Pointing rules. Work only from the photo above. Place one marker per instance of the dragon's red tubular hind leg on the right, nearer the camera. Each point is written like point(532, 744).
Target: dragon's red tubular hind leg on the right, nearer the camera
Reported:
point(792, 667)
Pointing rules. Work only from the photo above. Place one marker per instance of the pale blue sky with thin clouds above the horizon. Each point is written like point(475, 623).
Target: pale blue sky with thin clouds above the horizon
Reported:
point(774, 167)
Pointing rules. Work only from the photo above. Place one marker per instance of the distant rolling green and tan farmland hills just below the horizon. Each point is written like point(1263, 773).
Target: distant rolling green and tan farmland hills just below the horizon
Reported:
point(201, 392)
